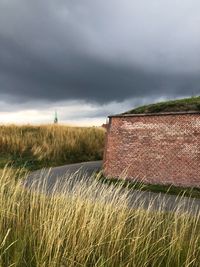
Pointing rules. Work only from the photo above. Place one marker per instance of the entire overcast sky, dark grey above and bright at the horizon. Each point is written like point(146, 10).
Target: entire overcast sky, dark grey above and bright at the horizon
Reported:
point(92, 58)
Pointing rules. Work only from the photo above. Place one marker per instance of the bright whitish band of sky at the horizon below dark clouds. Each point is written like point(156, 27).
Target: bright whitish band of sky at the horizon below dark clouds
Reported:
point(69, 112)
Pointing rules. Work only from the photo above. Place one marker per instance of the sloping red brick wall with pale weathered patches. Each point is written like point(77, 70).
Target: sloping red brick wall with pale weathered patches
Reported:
point(154, 148)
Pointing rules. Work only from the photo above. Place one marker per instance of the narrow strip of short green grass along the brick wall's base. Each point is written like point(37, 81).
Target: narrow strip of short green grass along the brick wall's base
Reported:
point(156, 188)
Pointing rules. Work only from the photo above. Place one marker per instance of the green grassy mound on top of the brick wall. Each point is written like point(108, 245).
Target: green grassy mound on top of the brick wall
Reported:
point(179, 105)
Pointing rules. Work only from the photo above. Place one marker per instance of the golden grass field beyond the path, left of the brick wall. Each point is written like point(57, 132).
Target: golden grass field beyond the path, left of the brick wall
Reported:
point(41, 146)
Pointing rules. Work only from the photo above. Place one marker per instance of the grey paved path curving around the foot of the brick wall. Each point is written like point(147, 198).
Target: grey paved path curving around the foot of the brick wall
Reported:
point(144, 199)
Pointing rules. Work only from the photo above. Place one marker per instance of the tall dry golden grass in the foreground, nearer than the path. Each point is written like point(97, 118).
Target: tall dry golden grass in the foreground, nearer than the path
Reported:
point(90, 224)
